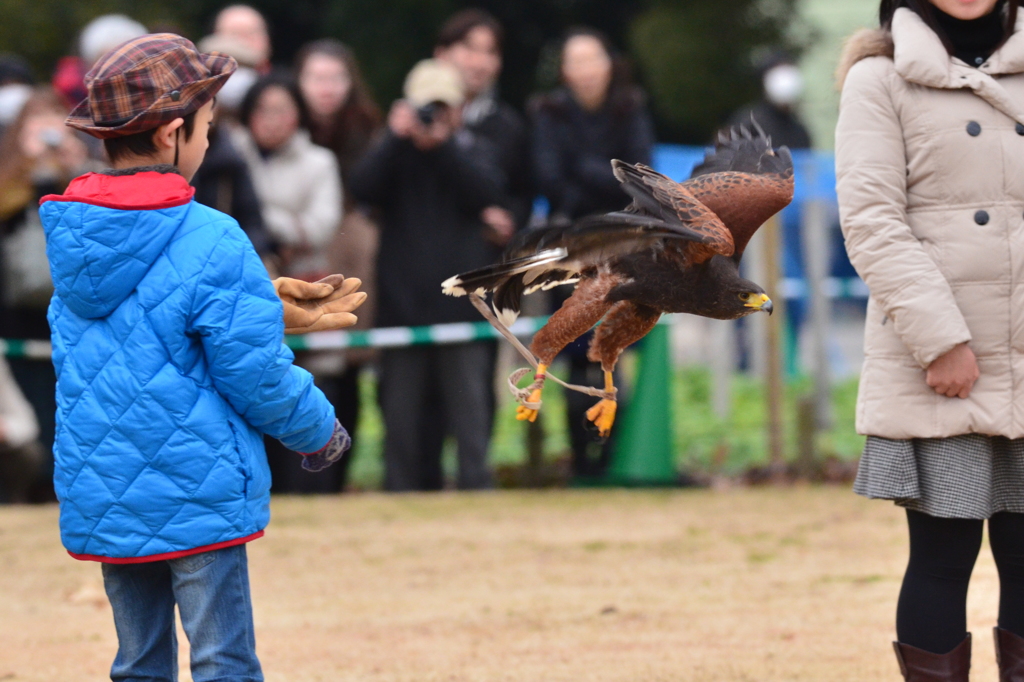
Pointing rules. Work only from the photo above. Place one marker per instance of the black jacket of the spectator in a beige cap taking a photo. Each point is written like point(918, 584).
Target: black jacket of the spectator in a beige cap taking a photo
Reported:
point(431, 203)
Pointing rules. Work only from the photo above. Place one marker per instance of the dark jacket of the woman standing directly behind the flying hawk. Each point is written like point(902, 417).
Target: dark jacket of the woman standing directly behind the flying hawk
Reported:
point(573, 150)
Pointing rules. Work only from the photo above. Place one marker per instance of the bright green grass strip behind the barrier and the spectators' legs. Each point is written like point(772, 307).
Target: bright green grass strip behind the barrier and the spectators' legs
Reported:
point(705, 443)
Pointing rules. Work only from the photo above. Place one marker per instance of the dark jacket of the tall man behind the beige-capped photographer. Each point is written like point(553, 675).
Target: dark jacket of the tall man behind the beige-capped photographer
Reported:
point(499, 125)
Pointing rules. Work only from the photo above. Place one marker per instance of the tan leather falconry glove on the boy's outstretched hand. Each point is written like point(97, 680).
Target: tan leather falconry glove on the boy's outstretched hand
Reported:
point(319, 307)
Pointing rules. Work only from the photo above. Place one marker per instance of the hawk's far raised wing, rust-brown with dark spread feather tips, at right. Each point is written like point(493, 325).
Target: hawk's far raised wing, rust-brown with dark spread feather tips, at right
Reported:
point(745, 182)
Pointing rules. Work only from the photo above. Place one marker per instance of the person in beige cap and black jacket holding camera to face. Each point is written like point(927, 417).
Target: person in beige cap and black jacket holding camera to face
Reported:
point(431, 181)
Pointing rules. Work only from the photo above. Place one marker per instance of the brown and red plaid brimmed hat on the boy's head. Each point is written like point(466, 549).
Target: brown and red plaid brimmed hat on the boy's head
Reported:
point(147, 82)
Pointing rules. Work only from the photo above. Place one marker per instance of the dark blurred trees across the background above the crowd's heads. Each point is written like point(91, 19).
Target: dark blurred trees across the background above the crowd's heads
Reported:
point(695, 57)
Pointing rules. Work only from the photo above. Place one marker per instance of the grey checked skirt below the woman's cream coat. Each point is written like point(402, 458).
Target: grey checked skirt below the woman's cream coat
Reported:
point(965, 477)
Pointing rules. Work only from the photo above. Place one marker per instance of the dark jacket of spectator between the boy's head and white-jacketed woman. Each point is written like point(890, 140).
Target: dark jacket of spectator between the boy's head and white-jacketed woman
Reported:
point(224, 183)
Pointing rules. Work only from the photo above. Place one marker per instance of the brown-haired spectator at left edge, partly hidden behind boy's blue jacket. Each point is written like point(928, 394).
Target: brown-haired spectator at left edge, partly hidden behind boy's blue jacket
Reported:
point(38, 156)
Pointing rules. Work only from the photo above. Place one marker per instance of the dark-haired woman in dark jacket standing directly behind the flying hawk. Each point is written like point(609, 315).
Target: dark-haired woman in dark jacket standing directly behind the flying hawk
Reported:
point(579, 129)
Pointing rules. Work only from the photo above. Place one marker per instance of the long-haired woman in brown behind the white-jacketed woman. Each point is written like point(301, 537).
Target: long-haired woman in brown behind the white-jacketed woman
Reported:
point(345, 119)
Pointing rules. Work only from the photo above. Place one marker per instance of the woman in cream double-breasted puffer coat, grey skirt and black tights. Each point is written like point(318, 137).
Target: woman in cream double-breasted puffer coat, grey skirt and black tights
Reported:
point(930, 157)
